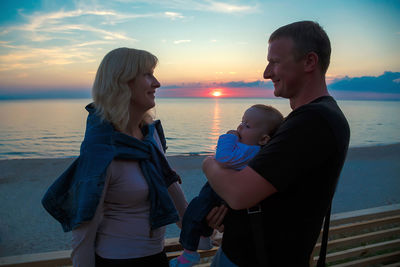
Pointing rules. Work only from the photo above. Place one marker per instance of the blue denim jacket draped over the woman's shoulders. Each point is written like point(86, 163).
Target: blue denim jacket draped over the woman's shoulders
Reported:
point(75, 195)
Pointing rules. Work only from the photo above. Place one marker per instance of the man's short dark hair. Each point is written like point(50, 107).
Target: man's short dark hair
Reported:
point(307, 36)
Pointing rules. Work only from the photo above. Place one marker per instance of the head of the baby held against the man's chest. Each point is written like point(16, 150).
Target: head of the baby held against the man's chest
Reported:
point(258, 124)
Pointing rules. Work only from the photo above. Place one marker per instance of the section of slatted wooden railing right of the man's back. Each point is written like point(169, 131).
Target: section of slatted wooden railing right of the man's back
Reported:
point(363, 238)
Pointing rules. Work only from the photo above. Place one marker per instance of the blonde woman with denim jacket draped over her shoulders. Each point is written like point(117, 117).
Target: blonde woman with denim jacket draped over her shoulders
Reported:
point(120, 193)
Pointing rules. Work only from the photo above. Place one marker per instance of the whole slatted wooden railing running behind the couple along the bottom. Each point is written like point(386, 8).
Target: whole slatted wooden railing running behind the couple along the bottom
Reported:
point(359, 238)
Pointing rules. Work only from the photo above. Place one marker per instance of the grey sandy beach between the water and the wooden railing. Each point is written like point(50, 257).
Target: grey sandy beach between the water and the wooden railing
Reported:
point(370, 178)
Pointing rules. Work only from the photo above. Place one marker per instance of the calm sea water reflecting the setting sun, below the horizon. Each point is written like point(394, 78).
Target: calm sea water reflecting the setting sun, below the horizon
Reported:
point(55, 128)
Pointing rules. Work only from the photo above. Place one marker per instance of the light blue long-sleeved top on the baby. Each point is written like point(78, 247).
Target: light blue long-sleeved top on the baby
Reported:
point(233, 154)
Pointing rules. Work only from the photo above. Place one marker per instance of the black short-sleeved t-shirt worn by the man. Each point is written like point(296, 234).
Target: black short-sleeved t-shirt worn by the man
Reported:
point(303, 162)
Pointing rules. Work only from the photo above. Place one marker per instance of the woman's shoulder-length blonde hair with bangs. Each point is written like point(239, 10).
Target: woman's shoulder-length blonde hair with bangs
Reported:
point(111, 92)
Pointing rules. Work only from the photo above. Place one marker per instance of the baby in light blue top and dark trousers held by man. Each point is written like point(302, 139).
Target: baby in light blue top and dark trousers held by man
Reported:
point(234, 150)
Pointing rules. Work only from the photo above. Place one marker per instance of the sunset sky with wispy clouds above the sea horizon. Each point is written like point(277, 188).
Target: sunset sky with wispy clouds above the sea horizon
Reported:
point(54, 47)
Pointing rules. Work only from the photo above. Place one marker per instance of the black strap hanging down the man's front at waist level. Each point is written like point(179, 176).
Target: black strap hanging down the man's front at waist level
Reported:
point(255, 215)
